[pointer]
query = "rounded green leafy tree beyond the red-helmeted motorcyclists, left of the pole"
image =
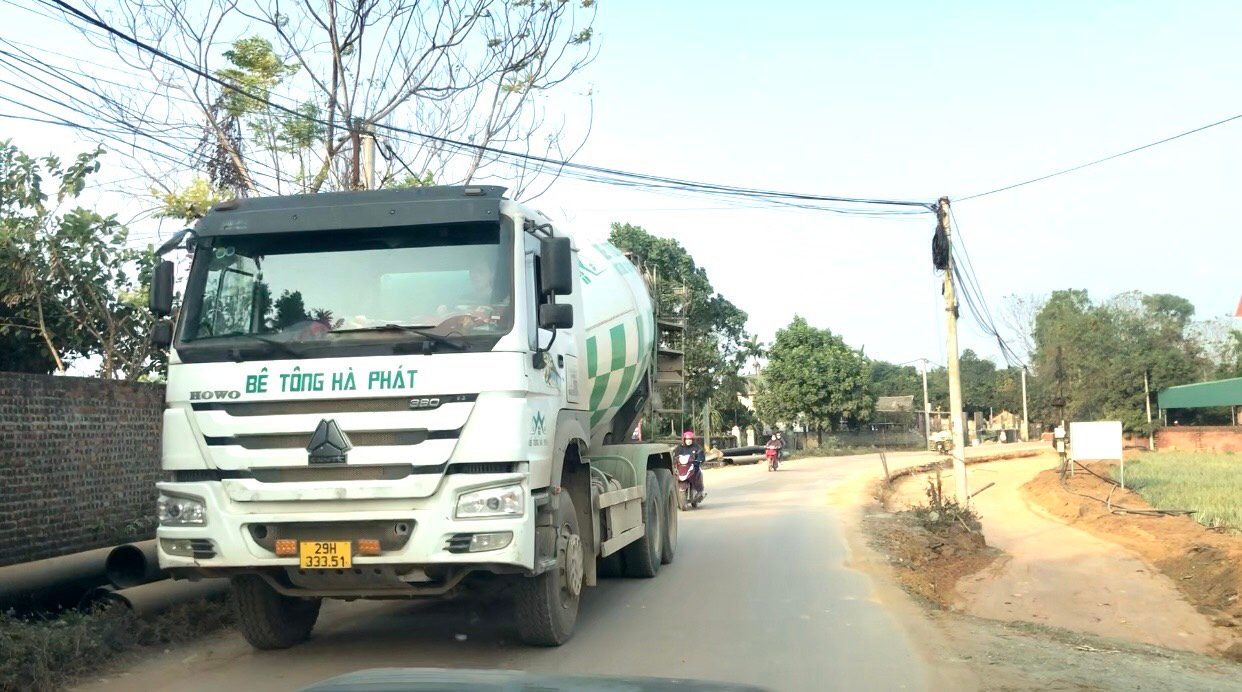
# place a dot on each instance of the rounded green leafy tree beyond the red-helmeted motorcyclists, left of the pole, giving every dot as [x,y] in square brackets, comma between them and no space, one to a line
[813,377]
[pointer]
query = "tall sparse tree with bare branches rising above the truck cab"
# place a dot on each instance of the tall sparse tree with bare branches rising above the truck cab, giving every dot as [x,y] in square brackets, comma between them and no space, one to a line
[280,96]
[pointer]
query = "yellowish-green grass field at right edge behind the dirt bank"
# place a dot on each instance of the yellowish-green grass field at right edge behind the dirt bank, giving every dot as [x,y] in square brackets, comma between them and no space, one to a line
[1210,484]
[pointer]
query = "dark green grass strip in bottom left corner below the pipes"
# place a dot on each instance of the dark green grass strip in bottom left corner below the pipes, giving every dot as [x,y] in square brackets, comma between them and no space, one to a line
[39,654]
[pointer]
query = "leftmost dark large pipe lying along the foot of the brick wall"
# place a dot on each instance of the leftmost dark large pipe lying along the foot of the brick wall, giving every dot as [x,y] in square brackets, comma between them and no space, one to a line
[53,583]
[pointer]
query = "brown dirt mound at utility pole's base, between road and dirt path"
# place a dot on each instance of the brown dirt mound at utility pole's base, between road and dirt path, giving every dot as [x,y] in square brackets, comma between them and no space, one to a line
[928,557]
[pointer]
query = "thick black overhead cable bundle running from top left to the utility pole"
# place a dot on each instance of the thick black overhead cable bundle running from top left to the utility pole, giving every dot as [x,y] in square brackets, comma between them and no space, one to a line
[584,172]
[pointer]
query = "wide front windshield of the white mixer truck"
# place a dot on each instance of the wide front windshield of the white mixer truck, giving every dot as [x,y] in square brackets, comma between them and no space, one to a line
[347,286]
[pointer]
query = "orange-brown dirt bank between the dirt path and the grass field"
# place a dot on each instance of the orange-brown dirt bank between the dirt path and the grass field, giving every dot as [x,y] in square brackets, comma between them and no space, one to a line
[1203,563]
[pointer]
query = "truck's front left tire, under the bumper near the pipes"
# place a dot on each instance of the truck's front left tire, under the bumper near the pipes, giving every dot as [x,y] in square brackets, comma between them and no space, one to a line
[269,619]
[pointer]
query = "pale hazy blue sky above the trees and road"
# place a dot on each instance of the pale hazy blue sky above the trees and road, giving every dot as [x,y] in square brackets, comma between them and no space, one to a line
[902,100]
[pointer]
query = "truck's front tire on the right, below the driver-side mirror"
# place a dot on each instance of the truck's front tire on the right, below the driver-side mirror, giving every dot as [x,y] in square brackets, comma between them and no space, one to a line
[547,606]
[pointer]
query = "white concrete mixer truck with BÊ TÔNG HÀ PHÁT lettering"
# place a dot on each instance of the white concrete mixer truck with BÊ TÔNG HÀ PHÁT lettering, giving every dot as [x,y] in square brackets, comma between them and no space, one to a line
[407,394]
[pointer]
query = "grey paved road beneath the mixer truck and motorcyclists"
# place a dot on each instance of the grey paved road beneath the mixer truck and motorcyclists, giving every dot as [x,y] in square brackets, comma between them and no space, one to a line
[759,594]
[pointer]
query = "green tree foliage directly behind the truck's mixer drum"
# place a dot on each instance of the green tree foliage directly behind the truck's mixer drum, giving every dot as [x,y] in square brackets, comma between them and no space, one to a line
[716,331]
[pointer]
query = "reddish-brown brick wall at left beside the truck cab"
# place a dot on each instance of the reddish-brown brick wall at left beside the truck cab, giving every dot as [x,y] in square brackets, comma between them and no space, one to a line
[79,464]
